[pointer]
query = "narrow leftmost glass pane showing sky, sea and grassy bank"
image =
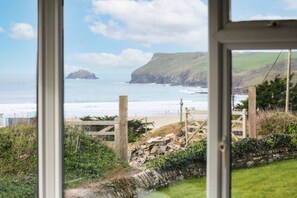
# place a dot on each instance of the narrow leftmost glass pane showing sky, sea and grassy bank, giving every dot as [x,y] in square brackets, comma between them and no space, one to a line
[18,49]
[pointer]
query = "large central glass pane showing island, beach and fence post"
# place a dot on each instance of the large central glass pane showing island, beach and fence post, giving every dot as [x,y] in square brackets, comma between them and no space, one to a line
[154,53]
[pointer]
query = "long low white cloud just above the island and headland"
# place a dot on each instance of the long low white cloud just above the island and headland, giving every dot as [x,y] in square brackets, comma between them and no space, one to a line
[127,58]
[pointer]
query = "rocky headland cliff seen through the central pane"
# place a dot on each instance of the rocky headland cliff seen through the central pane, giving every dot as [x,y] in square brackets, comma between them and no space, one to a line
[188,69]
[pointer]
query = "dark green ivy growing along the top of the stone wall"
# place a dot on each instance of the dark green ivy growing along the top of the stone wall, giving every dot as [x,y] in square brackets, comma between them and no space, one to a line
[241,149]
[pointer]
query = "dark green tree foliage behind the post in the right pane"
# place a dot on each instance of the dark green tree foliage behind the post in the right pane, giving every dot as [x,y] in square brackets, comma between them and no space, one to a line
[271,95]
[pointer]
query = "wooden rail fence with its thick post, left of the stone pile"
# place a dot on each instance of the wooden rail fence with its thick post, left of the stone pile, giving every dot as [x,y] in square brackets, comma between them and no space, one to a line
[117,128]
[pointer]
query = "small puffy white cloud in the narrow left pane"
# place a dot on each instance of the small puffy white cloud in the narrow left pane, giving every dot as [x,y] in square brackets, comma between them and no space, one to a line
[22,31]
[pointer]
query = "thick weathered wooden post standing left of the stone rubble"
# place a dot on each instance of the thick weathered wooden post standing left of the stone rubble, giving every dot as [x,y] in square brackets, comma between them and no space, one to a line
[121,140]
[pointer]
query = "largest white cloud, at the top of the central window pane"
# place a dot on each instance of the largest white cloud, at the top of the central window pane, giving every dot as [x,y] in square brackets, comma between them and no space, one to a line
[181,22]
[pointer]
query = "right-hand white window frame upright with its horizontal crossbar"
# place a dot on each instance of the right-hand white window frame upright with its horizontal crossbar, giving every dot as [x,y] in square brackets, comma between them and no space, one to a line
[225,36]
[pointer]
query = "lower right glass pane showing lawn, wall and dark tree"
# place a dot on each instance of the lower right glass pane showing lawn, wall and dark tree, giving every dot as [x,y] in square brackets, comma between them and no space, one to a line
[263,131]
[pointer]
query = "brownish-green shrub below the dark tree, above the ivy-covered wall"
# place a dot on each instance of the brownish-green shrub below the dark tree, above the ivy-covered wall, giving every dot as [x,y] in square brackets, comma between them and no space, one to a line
[276,122]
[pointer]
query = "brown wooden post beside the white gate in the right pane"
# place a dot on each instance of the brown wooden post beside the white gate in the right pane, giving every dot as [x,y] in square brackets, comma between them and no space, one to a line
[252,112]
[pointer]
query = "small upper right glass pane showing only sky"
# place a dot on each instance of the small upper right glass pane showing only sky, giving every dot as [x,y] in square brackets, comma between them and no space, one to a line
[254,10]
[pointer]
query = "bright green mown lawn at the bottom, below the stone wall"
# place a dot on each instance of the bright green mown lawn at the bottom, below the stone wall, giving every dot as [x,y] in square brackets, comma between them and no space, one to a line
[274,180]
